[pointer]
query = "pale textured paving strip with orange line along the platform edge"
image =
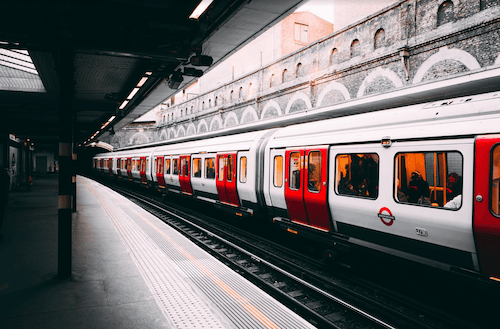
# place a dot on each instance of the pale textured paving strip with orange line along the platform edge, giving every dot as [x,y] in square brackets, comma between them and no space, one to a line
[239,301]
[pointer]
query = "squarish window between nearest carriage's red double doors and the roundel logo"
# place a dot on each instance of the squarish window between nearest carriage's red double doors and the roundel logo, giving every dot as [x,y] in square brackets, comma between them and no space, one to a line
[357,175]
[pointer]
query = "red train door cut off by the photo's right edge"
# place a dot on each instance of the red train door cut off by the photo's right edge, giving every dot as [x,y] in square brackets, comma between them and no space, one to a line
[486,203]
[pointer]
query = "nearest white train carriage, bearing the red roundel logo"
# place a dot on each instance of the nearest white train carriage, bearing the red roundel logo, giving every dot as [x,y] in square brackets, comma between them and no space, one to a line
[378,165]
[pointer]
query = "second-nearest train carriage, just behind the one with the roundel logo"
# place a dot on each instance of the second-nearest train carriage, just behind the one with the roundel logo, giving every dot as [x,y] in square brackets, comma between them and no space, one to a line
[220,170]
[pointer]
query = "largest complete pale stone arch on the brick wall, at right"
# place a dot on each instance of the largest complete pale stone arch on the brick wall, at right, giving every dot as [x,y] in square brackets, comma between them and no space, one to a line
[446,54]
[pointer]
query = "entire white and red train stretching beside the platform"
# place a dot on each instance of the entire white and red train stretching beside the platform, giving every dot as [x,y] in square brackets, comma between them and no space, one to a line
[417,182]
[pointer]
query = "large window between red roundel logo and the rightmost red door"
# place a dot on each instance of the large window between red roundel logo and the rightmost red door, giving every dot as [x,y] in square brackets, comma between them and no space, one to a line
[429,178]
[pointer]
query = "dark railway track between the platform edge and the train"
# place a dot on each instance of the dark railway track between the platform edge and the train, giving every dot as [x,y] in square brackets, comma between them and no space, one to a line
[301,283]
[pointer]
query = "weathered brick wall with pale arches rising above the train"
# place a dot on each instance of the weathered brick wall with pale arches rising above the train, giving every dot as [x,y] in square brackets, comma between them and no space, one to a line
[469,42]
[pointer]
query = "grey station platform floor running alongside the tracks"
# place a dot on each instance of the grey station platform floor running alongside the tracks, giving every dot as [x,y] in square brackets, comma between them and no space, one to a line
[129,270]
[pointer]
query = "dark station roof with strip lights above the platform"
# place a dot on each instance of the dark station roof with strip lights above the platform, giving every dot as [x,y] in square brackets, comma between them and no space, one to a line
[116,43]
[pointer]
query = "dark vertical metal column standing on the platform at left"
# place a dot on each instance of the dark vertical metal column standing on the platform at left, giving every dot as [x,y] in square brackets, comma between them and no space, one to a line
[66,80]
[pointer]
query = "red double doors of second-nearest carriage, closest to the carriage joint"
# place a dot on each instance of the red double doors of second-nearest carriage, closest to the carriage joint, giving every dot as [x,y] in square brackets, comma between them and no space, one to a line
[226,178]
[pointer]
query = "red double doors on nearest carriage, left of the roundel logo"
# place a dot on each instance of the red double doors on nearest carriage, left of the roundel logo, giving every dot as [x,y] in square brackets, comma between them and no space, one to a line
[306,186]
